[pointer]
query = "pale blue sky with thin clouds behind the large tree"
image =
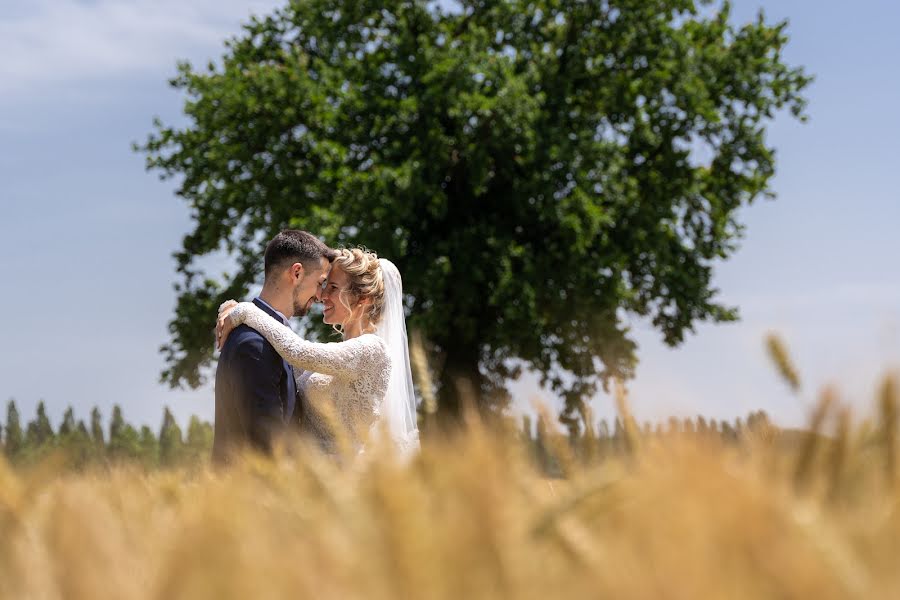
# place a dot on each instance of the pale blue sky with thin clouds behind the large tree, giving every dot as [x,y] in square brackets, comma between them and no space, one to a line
[86,235]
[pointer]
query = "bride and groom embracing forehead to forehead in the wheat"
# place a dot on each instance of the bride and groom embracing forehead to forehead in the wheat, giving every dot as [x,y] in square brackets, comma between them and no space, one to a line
[270,381]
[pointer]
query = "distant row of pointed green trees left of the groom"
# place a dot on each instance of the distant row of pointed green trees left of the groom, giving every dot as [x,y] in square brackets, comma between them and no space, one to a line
[80,444]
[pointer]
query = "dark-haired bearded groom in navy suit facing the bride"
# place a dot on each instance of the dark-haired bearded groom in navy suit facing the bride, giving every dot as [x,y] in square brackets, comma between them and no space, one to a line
[255,390]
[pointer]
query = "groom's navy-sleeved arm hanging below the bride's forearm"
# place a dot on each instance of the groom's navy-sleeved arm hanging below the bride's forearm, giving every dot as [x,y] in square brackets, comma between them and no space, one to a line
[260,384]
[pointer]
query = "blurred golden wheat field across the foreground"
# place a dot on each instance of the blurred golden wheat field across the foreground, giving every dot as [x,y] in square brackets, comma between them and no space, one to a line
[677,516]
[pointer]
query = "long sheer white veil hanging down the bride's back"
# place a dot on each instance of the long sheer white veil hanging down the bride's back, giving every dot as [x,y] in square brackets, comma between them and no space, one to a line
[399,408]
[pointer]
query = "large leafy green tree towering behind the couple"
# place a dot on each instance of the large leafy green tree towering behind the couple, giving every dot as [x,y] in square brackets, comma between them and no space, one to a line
[538,170]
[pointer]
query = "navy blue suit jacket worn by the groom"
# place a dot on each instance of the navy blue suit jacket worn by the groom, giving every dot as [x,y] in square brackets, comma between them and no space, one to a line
[255,392]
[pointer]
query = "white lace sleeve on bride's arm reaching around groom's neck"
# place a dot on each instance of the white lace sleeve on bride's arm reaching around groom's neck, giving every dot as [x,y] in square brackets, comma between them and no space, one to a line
[335,358]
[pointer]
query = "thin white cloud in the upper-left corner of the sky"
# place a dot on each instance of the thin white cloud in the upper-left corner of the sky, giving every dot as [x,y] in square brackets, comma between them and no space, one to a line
[64,41]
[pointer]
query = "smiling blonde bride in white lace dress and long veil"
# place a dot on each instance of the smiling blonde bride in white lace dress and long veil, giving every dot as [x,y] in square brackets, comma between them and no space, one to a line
[364,382]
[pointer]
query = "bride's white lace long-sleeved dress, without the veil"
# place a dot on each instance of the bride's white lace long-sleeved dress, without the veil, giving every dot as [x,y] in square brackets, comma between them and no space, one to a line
[345,379]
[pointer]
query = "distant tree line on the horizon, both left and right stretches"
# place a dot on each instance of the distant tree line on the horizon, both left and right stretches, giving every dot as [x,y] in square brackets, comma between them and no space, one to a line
[81,445]
